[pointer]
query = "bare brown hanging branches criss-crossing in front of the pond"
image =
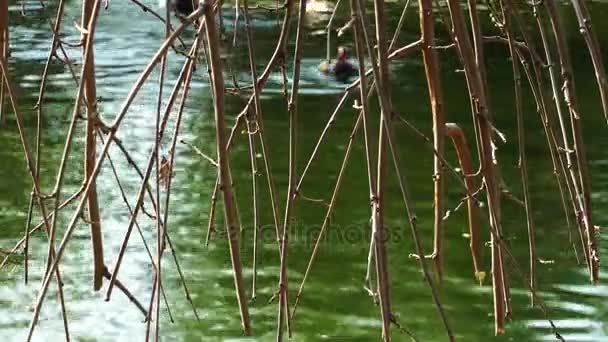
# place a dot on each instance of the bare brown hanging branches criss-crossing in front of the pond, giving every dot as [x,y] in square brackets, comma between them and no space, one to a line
[532,62]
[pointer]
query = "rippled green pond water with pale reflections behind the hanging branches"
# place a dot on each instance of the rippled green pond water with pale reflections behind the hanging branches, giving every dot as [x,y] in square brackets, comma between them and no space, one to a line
[334,305]
